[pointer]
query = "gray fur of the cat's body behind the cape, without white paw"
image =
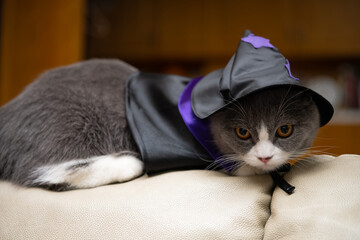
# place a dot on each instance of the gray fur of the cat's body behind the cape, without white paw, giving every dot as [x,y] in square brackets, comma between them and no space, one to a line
[72,112]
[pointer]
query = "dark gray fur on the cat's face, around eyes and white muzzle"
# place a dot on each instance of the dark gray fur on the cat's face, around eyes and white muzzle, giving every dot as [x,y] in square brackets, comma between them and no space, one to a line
[272,107]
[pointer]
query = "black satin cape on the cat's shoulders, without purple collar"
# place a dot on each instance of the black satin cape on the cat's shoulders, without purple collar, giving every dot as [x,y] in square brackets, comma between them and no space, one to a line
[152,112]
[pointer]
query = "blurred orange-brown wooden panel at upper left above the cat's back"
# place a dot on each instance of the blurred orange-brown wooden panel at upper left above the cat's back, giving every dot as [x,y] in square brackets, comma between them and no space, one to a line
[38,35]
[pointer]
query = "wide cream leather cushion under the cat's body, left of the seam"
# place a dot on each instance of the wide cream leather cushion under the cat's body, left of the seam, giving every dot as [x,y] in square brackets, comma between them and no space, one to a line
[176,205]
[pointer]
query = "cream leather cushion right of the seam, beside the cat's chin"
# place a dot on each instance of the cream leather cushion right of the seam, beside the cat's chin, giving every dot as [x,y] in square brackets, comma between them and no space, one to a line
[326,204]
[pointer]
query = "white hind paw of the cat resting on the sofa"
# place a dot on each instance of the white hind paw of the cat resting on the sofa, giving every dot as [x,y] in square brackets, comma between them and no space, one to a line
[92,172]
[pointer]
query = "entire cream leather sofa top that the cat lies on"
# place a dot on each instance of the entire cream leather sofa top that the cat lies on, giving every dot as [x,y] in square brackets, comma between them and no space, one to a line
[195,204]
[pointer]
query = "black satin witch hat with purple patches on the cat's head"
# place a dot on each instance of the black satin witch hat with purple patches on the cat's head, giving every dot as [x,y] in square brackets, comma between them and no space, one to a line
[256,65]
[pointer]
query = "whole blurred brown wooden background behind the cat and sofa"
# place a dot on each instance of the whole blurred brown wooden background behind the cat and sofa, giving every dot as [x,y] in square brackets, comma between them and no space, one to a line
[191,37]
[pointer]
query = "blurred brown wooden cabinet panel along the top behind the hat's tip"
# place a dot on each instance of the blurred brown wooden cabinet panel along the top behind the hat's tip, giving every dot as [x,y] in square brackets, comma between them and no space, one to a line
[188,30]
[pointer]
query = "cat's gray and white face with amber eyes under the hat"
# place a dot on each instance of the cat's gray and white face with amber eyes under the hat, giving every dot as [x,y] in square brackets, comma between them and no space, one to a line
[268,128]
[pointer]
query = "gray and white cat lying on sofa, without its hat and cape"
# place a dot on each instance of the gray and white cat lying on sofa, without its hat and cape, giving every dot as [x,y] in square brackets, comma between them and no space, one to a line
[68,129]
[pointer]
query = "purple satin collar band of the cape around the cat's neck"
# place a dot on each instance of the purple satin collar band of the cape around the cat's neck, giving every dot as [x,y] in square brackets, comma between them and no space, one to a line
[199,127]
